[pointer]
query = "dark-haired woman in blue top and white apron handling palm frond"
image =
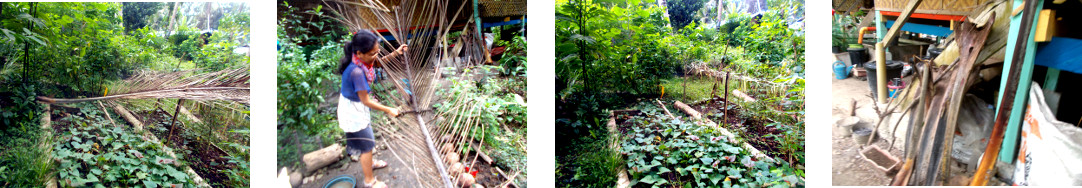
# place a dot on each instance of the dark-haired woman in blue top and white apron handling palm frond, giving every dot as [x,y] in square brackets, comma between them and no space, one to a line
[357,68]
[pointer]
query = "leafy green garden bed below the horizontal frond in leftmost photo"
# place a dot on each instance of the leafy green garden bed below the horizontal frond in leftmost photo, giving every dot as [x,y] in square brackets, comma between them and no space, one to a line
[94,151]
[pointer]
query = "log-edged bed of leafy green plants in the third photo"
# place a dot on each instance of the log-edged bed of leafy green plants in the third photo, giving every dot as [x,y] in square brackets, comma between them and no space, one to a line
[663,152]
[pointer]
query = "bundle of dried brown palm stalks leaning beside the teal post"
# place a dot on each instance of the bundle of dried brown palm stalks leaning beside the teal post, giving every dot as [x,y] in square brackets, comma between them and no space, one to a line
[940,101]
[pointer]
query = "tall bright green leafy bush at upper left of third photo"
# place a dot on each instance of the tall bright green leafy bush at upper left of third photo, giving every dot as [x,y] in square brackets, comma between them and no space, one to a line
[618,48]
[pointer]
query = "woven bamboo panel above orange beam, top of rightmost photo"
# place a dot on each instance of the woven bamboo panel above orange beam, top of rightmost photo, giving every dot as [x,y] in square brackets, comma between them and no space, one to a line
[934,7]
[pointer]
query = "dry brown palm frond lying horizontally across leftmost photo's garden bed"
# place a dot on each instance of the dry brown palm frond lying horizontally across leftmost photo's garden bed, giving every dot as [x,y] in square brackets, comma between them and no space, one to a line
[229,85]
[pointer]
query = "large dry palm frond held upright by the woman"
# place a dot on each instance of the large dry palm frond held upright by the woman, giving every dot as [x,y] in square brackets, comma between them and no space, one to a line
[425,25]
